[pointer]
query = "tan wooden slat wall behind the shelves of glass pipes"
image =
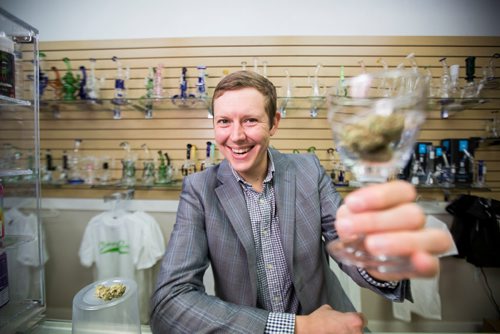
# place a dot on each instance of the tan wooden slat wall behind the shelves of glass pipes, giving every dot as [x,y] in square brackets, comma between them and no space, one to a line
[172,128]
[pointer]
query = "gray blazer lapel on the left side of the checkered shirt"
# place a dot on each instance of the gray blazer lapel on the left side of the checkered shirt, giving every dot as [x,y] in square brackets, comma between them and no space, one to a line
[233,201]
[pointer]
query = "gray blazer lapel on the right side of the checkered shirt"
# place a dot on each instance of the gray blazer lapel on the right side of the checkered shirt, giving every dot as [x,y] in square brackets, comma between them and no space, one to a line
[285,187]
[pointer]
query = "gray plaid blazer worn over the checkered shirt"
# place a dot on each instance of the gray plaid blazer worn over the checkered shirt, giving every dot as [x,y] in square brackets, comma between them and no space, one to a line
[213,227]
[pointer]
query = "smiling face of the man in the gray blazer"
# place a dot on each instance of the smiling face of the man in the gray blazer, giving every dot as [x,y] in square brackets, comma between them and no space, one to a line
[242,131]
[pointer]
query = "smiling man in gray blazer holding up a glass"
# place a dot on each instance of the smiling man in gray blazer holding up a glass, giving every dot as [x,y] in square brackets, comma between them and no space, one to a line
[263,220]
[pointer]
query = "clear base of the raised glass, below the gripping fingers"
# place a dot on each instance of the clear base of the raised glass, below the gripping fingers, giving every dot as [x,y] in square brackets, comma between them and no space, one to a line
[354,253]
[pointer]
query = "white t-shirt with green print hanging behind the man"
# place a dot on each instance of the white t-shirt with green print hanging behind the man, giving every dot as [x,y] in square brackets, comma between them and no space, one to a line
[124,245]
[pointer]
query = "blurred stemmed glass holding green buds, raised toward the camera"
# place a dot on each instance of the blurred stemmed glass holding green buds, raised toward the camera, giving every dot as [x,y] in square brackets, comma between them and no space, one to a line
[375,119]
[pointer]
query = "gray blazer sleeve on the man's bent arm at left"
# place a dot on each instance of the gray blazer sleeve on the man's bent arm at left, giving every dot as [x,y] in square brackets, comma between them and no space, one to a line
[179,302]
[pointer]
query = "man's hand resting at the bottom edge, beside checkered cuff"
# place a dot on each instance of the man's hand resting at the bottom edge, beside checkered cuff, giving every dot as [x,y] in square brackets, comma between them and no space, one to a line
[326,320]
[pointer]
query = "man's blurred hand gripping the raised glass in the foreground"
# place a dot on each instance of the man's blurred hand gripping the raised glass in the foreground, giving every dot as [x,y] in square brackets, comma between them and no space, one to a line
[392,225]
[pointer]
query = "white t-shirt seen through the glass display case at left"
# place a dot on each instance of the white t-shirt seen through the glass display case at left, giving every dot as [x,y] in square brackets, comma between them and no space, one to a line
[23,265]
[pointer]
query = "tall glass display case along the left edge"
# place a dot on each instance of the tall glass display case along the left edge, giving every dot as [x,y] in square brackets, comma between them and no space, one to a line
[22,292]
